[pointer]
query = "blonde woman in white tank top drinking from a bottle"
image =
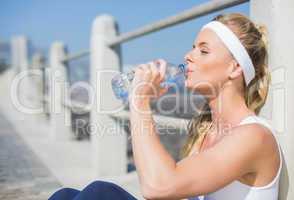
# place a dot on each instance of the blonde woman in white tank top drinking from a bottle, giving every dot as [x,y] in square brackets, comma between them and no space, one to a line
[231,153]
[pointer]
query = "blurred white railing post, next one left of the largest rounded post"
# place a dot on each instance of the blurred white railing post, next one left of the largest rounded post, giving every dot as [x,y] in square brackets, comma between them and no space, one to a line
[60,116]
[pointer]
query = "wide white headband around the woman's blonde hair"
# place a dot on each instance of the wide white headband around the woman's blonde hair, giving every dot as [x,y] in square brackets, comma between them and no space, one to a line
[235,47]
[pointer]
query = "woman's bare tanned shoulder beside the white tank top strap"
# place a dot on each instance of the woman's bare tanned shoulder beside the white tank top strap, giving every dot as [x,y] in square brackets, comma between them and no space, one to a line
[264,150]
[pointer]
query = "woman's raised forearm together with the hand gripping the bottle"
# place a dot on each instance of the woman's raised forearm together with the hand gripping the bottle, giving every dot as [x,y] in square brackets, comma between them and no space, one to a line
[153,162]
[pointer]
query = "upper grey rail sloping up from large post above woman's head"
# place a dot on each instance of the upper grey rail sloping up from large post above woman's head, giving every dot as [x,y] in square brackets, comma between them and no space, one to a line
[190,14]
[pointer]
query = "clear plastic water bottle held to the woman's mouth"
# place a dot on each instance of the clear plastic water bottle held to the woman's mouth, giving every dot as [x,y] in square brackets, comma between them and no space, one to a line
[174,77]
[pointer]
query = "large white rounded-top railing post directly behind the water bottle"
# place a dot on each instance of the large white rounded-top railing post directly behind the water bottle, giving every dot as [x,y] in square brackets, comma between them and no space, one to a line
[107,137]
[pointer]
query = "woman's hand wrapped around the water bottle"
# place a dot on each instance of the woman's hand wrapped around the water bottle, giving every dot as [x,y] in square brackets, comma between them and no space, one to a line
[146,83]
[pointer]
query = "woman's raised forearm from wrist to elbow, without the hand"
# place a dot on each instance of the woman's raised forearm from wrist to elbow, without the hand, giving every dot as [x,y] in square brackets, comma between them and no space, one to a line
[153,163]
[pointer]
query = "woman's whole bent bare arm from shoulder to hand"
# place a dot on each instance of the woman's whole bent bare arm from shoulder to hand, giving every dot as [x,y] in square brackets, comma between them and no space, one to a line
[161,177]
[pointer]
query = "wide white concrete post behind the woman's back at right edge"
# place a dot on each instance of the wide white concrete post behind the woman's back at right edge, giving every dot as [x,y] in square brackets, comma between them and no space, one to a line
[279,108]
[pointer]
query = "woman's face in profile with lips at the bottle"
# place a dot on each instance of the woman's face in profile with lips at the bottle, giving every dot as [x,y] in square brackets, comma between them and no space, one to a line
[208,62]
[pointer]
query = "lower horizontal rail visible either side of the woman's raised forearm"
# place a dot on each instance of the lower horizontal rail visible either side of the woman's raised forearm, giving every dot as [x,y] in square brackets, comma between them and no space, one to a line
[161,120]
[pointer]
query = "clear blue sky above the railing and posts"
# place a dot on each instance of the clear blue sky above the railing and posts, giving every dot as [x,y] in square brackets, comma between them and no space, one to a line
[44,22]
